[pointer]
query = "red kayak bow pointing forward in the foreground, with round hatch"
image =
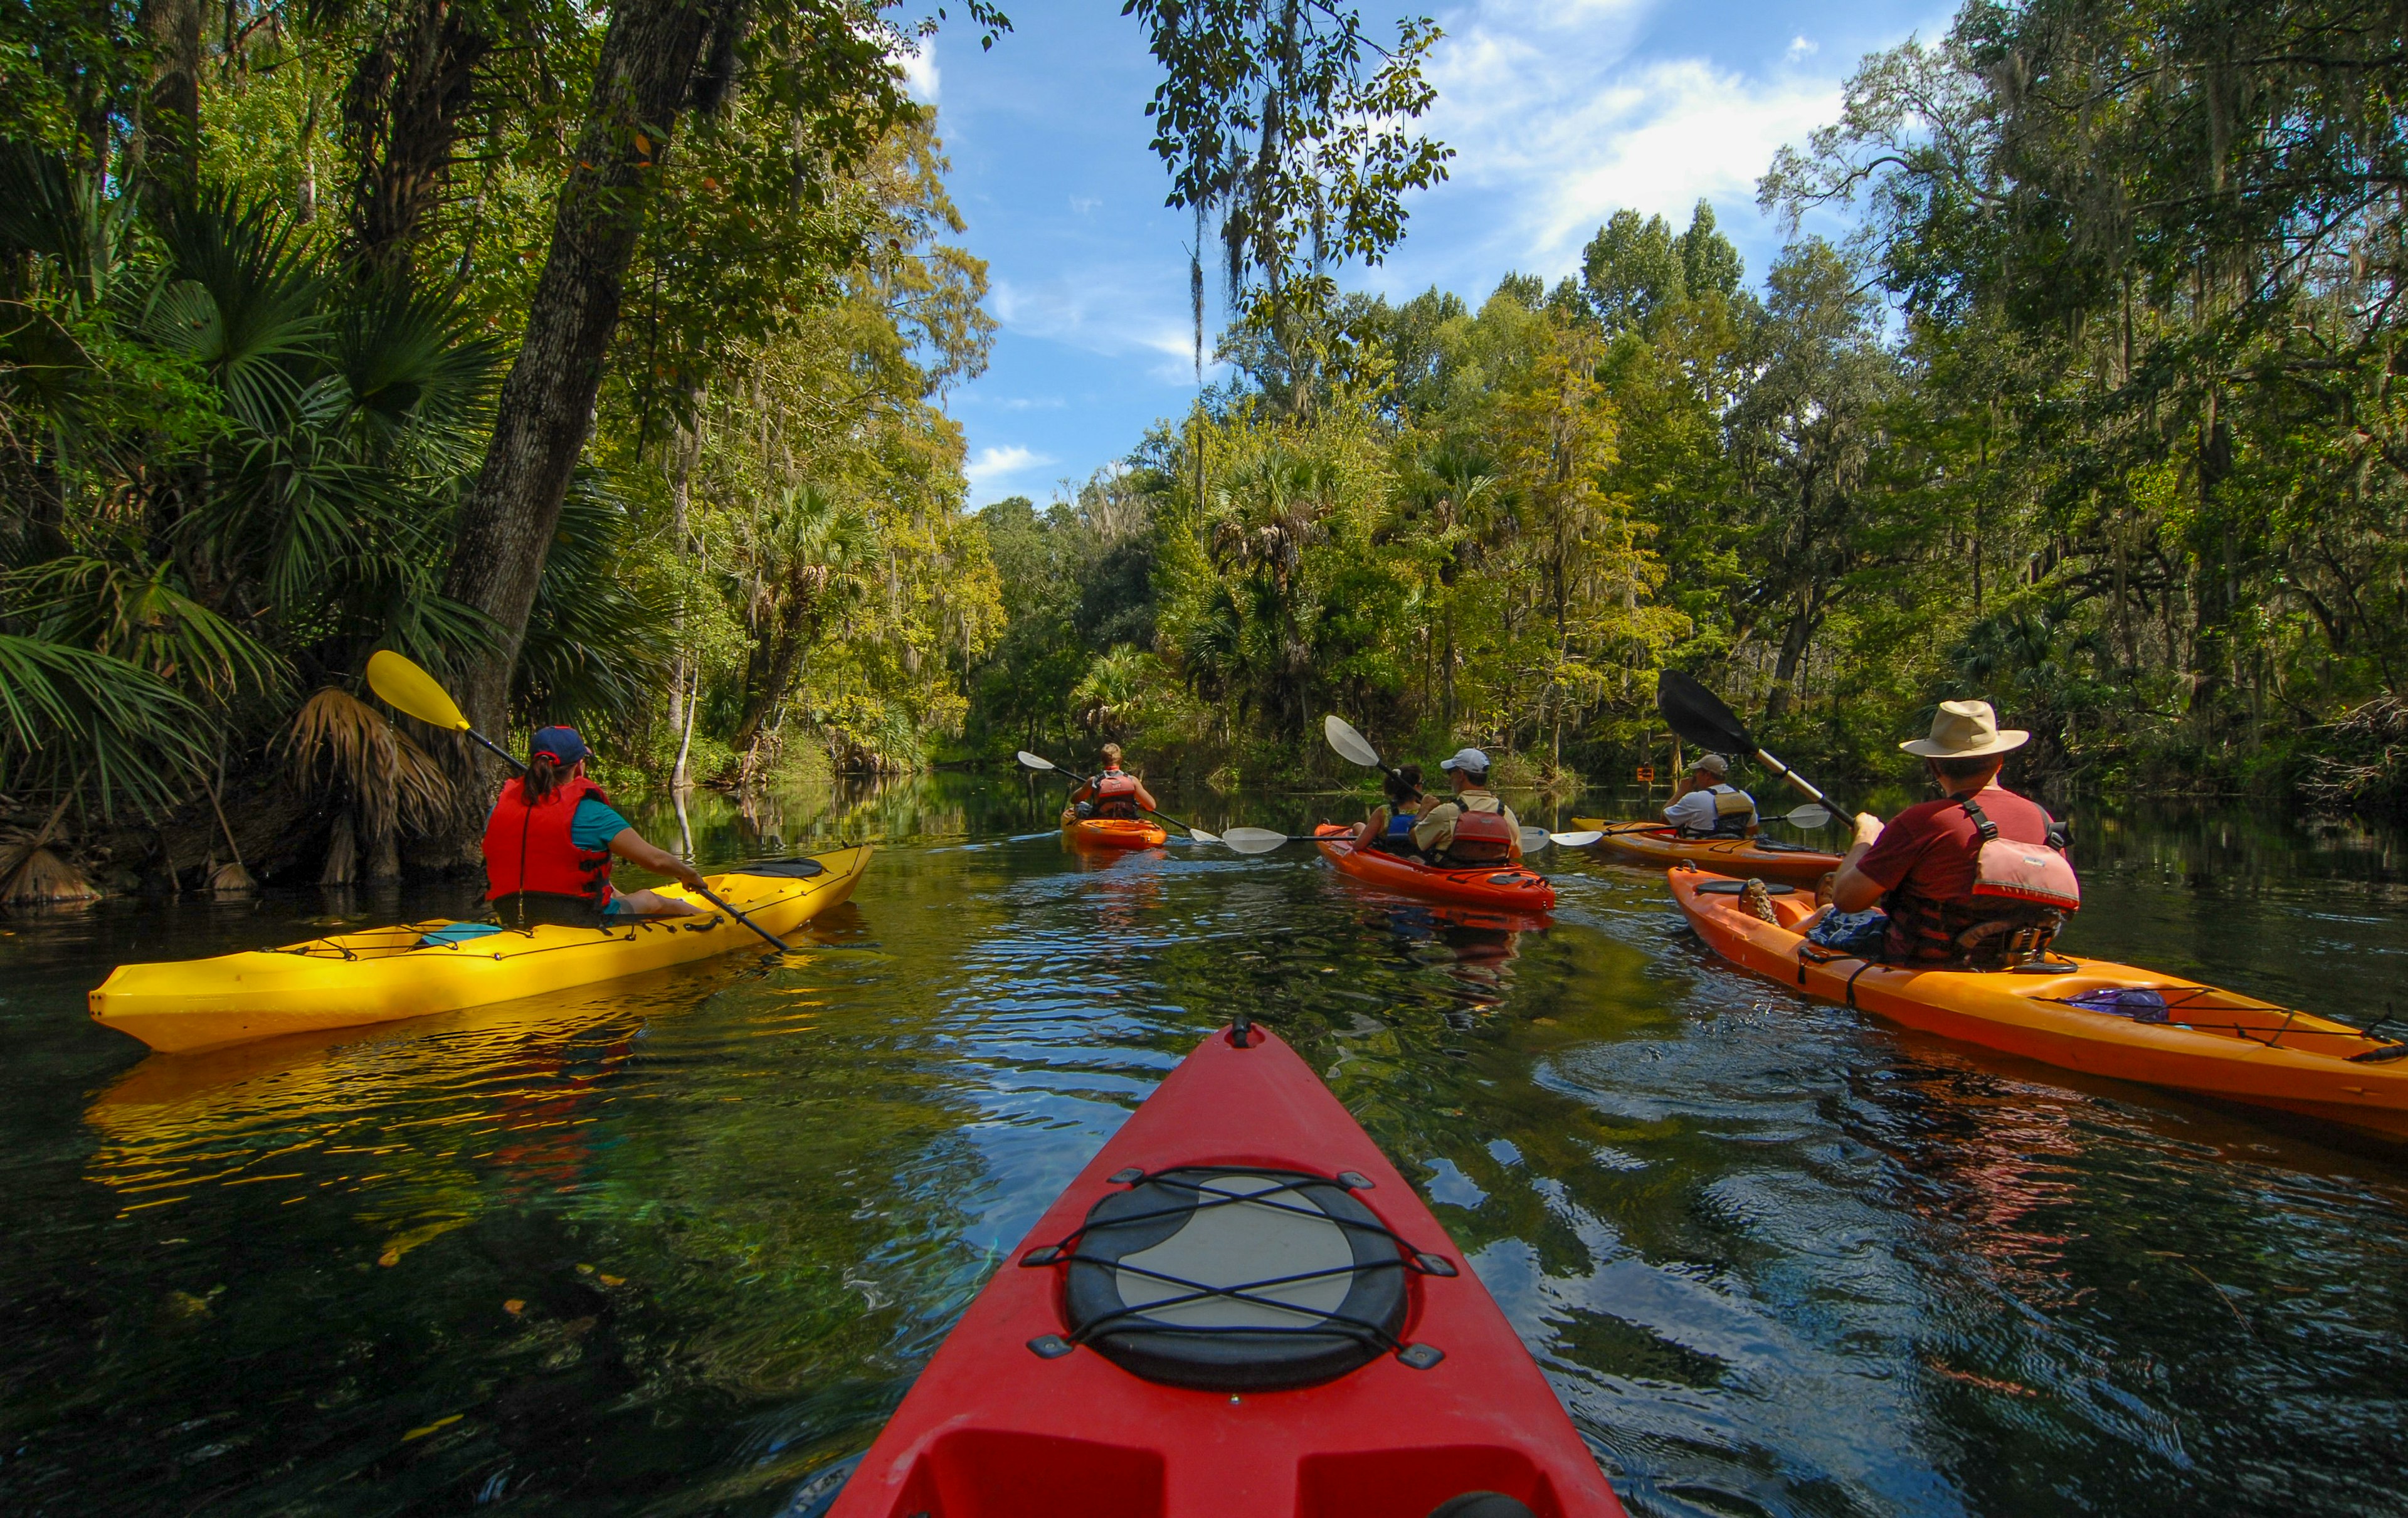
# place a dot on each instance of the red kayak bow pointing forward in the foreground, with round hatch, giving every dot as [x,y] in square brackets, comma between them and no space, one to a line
[1237,1312]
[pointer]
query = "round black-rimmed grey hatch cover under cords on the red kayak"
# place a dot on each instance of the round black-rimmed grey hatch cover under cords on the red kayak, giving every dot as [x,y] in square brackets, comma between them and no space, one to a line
[1237,1278]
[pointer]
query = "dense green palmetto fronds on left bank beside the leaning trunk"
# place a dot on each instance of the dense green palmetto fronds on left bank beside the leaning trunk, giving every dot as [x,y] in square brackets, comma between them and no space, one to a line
[225,464]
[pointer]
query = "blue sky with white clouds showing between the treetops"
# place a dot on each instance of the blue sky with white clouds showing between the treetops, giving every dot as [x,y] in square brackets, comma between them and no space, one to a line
[1559,112]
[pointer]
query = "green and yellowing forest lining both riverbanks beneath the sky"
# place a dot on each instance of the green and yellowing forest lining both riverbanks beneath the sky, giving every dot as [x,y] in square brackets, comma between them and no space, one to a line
[596,360]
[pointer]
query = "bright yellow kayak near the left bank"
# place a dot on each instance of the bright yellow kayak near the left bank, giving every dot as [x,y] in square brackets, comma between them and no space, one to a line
[384,975]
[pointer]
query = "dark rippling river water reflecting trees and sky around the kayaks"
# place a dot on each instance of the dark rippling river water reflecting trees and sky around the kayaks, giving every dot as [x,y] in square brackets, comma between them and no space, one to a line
[675,1245]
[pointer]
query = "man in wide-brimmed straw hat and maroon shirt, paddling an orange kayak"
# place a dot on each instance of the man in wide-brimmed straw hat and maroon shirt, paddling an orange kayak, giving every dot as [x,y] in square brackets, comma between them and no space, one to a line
[1928,864]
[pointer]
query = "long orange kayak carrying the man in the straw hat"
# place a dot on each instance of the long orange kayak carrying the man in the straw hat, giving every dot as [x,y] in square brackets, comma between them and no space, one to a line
[2096,1016]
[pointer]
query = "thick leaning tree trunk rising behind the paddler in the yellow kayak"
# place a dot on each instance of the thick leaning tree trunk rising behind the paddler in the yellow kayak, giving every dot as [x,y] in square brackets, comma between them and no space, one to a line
[545,408]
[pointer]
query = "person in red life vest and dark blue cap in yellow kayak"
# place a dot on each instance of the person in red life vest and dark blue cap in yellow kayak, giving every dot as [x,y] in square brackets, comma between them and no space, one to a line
[550,845]
